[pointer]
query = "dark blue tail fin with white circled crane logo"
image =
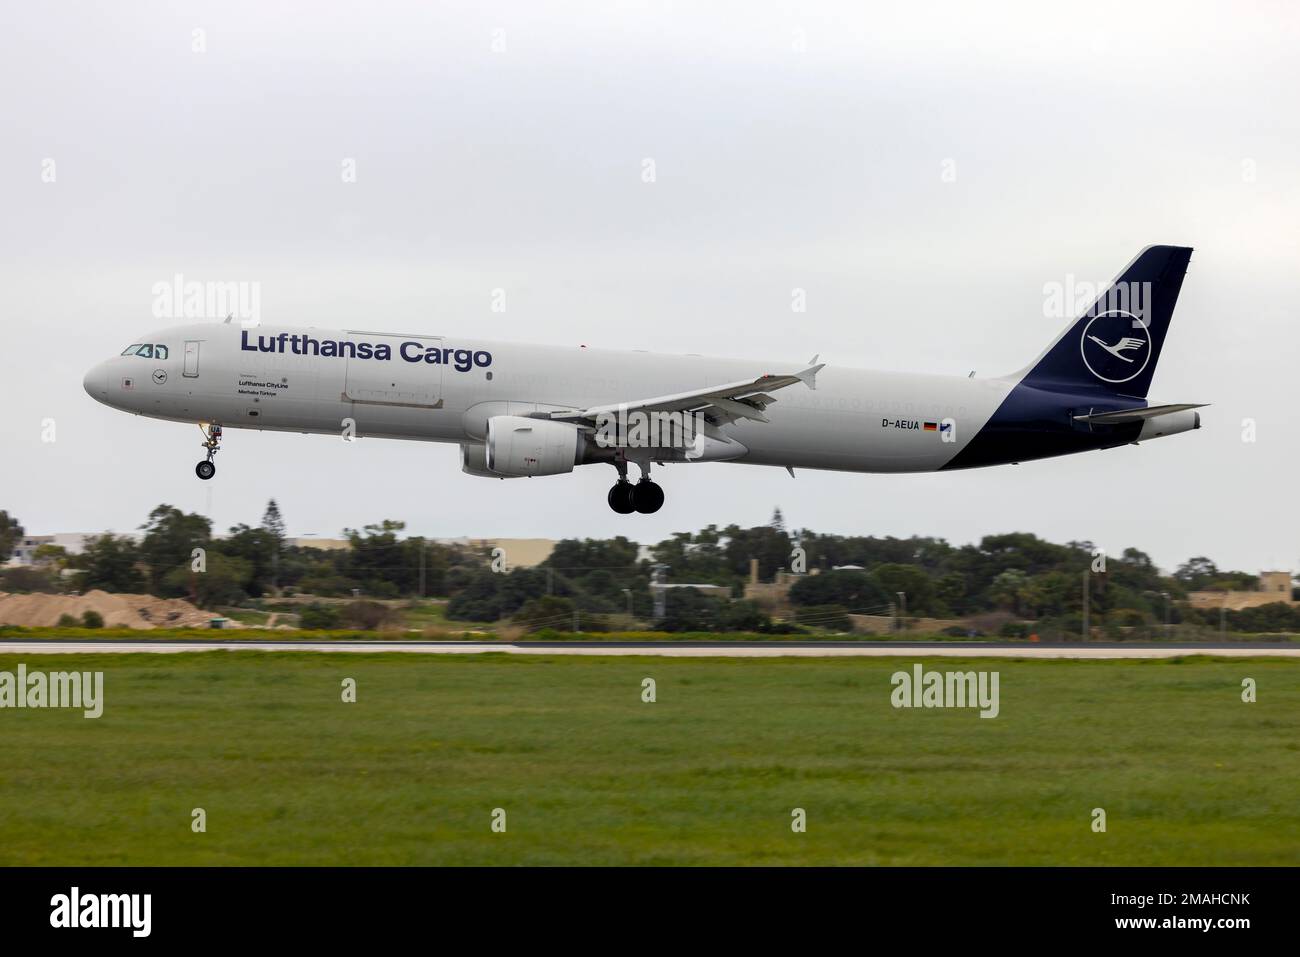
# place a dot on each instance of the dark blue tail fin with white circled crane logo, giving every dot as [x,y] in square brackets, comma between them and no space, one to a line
[1115,347]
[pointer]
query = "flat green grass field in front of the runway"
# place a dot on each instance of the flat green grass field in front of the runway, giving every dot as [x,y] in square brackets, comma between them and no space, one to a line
[708,776]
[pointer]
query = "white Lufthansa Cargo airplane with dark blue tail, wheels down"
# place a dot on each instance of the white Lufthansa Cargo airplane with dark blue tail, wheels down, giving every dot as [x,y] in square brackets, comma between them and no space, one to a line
[523,412]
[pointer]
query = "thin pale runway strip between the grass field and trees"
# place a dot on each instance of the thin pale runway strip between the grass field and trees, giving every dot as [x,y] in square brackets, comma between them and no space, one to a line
[674,649]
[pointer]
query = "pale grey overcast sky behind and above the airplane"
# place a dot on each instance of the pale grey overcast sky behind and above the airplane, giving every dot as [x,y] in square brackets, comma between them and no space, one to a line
[922,171]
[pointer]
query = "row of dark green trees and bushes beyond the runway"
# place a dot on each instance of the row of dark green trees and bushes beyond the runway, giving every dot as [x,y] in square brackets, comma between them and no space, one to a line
[1019,575]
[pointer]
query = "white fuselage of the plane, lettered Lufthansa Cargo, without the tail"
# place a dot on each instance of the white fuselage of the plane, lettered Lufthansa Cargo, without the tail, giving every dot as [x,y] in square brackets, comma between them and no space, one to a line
[853,421]
